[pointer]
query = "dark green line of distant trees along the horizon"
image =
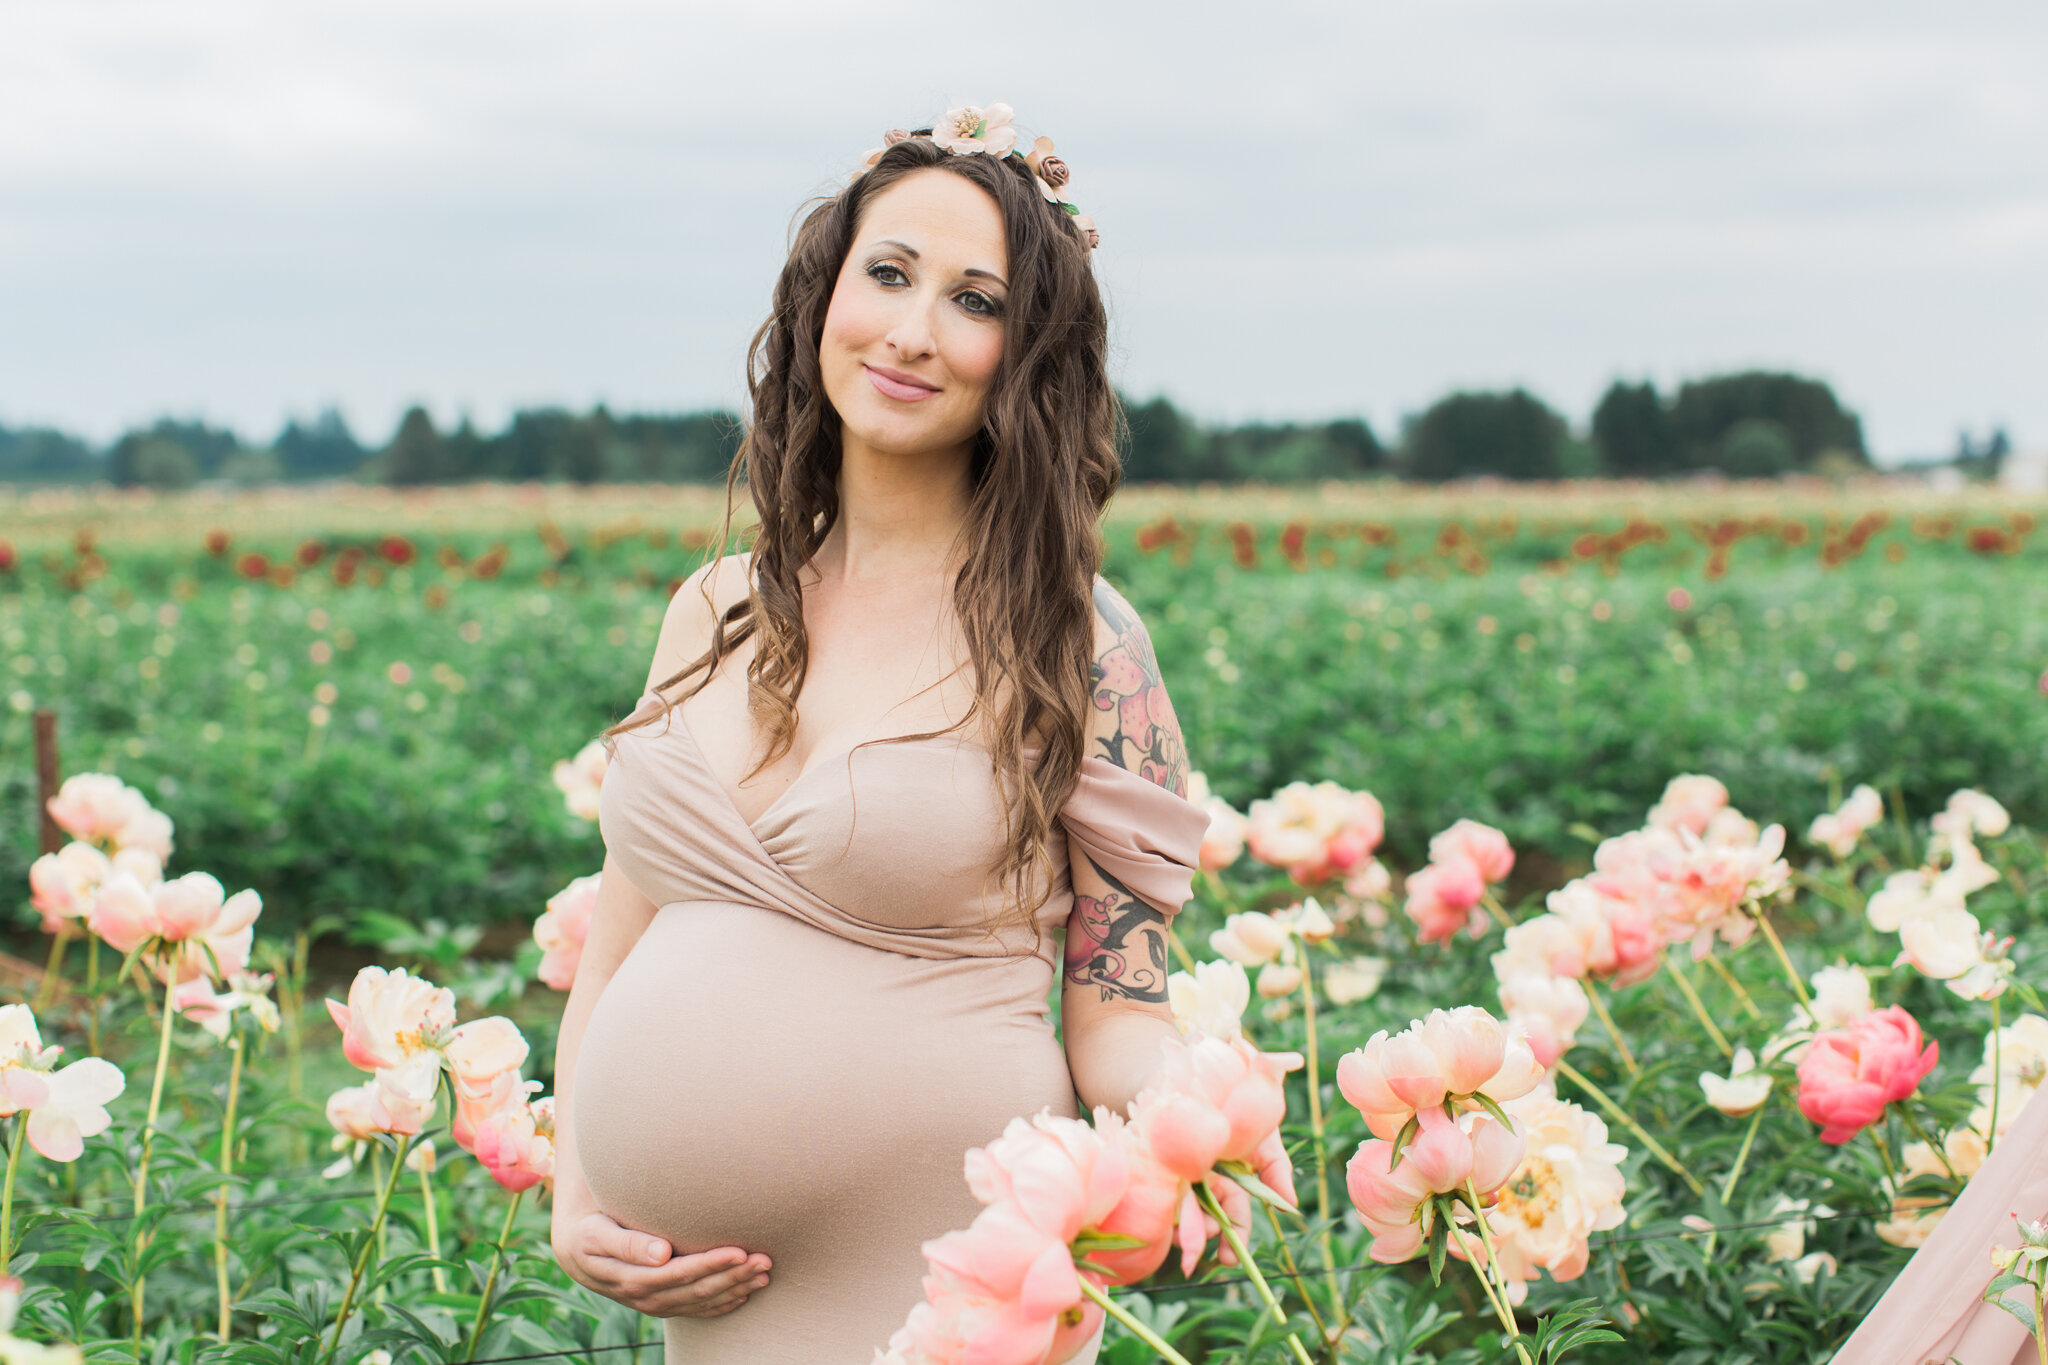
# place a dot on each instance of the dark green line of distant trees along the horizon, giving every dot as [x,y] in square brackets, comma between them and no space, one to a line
[1748,425]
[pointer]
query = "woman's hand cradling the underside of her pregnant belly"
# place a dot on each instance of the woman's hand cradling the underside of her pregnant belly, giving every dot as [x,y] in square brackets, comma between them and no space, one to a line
[644,1274]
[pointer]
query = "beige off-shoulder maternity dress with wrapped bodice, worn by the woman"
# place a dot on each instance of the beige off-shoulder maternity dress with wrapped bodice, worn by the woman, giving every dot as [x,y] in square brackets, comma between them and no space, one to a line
[820,1020]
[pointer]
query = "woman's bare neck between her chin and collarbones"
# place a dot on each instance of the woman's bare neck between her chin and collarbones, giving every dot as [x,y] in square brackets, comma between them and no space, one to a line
[900,517]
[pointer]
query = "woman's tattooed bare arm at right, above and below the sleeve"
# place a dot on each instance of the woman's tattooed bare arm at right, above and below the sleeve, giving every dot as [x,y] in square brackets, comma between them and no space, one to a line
[1113,1004]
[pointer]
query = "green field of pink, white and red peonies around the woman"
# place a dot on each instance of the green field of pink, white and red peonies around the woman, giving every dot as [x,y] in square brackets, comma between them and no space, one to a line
[1619,932]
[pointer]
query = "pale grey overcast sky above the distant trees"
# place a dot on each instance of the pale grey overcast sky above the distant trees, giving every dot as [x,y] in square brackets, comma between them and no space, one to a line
[251,210]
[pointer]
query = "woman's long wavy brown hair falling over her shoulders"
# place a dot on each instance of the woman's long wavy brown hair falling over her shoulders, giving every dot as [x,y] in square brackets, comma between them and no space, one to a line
[1043,470]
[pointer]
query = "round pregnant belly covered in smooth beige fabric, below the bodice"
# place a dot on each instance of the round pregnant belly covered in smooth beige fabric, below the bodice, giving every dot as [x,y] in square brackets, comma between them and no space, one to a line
[753,1082]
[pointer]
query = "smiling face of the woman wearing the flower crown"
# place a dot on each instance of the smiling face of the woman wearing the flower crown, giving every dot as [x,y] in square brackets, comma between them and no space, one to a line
[914,331]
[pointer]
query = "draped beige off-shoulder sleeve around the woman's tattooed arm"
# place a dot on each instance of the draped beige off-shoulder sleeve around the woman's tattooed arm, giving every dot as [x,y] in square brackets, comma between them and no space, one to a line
[1138,832]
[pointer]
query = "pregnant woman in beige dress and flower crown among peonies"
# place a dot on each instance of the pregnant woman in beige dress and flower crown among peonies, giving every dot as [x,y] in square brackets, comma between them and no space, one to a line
[880,764]
